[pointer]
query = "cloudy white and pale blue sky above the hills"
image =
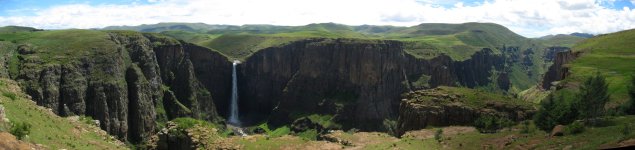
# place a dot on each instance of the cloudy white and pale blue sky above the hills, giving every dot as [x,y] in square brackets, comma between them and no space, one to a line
[530,18]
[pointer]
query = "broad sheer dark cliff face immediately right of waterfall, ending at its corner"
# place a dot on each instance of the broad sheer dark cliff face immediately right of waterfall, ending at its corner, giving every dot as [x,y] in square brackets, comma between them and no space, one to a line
[356,80]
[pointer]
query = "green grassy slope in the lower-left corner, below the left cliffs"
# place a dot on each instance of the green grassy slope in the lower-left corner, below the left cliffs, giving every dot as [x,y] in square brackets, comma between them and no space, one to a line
[48,129]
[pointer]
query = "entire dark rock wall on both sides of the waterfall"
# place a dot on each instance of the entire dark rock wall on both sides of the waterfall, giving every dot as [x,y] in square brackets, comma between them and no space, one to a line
[149,78]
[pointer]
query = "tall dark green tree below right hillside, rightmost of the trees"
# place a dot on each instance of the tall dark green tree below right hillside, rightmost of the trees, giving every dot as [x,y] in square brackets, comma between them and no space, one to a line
[592,98]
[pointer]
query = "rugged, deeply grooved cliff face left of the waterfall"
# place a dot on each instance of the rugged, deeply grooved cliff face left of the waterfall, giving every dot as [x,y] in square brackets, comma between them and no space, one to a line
[121,88]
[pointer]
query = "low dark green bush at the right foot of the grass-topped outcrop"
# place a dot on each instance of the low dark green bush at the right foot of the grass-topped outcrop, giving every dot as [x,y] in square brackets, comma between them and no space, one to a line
[490,124]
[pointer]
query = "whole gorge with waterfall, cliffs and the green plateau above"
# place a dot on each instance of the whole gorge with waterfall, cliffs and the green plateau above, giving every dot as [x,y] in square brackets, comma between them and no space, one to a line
[137,84]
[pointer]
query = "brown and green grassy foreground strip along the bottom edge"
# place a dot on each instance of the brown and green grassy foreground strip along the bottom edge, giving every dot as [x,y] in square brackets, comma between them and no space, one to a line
[610,135]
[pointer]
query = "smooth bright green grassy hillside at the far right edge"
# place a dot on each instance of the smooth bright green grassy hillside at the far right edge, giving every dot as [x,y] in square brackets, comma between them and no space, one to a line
[612,55]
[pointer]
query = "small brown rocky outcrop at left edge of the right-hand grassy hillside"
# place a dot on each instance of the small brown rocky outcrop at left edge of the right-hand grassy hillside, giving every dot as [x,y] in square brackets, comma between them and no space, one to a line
[558,70]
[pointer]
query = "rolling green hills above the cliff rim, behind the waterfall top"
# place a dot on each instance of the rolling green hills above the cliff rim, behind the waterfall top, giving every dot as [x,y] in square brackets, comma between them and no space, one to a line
[423,41]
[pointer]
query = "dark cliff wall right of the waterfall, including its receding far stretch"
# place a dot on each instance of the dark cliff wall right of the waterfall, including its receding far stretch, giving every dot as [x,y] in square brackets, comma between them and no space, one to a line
[358,81]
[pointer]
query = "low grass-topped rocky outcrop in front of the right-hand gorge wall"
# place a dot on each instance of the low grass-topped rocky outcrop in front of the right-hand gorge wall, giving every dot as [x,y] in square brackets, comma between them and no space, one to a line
[455,106]
